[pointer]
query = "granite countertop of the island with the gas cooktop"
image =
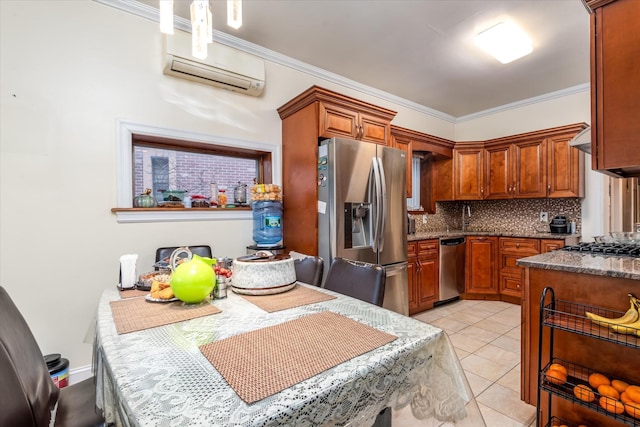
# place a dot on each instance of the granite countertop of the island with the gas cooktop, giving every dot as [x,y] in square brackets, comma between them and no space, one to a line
[575,262]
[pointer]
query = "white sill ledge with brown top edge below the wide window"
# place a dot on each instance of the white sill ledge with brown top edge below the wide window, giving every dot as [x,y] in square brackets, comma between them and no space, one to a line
[132,215]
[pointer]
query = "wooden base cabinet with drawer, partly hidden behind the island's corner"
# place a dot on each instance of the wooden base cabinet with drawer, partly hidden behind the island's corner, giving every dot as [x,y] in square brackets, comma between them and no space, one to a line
[511,276]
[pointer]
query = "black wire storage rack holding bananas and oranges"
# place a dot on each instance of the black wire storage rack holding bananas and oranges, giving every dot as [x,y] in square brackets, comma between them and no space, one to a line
[571,317]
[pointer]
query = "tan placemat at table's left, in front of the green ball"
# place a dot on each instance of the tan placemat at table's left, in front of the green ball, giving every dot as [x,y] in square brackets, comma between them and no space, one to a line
[136,314]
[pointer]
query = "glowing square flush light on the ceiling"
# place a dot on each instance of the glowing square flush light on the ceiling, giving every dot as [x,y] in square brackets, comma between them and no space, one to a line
[505,41]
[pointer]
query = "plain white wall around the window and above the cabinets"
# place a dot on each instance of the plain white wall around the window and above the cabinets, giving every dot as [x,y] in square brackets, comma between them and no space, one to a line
[70,70]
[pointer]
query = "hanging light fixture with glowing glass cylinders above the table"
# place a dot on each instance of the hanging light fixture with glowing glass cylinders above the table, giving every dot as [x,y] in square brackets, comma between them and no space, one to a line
[201,22]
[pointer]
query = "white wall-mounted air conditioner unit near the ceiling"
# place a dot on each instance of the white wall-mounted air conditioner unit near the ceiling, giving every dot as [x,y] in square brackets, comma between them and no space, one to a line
[224,66]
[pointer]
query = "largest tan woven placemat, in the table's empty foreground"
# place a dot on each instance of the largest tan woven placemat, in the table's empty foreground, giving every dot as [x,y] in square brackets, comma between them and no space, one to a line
[260,363]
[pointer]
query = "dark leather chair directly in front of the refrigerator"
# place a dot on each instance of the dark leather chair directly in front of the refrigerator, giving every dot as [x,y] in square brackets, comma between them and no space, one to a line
[357,279]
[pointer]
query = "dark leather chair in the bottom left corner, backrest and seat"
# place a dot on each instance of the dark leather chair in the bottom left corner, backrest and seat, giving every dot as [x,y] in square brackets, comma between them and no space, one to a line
[27,393]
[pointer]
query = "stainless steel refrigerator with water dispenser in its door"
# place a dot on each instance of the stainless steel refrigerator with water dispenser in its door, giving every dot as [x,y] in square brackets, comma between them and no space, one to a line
[362,210]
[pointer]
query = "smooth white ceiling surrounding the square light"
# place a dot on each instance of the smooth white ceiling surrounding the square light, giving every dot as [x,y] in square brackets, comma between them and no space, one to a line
[422,50]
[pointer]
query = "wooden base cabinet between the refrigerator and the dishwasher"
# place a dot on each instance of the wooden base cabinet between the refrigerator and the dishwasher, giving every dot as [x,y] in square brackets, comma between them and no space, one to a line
[424,271]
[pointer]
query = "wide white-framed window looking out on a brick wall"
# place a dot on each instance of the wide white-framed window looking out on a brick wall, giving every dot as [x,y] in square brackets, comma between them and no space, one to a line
[169,159]
